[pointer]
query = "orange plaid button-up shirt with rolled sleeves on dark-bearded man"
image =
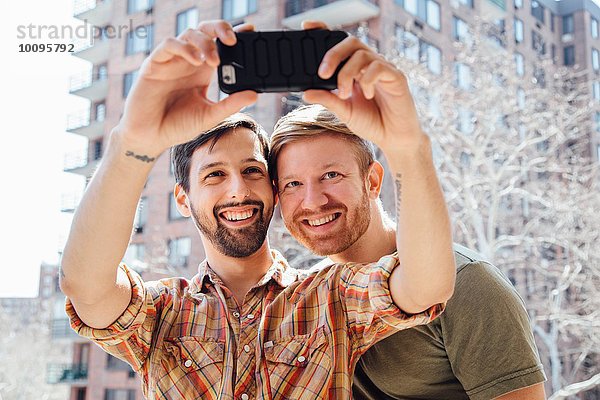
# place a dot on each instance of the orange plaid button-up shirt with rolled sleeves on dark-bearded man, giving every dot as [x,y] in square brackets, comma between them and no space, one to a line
[296,336]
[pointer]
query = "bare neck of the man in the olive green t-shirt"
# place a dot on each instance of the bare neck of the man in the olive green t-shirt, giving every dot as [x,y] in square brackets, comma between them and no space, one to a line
[379,240]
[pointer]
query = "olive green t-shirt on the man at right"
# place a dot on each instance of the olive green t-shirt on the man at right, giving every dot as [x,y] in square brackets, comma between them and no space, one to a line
[481,347]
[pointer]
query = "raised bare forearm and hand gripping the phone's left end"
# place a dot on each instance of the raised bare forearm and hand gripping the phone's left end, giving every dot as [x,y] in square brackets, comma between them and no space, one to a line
[167,106]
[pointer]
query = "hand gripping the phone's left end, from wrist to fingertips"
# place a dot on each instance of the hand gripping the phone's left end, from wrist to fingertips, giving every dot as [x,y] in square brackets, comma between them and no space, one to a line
[168,103]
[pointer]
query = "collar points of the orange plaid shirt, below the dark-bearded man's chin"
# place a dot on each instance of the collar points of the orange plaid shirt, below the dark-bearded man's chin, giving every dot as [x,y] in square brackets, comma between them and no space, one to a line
[280,272]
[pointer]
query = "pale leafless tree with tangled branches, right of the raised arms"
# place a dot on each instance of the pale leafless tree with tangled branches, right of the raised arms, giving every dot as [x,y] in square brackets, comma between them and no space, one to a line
[514,159]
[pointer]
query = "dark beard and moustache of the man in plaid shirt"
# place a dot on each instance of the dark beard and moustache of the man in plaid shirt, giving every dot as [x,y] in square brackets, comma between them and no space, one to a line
[237,243]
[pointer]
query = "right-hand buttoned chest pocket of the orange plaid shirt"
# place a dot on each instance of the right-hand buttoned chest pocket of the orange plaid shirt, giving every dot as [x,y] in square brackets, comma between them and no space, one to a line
[299,366]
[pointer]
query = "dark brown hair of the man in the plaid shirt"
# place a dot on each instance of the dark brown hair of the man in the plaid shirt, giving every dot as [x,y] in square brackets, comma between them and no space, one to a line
[181,154]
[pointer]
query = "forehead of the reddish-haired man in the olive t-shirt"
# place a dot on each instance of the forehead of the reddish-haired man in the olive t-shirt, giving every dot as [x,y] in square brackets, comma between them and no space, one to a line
[301,156]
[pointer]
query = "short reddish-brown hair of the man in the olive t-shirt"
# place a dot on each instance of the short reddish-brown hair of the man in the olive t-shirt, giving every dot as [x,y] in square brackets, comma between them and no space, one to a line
[312,120]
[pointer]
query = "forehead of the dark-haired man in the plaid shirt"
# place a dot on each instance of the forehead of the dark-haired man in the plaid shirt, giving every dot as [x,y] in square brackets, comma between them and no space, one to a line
[233,147]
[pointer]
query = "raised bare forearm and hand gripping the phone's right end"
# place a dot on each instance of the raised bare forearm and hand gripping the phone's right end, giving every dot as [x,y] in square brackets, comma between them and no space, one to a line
[374,101]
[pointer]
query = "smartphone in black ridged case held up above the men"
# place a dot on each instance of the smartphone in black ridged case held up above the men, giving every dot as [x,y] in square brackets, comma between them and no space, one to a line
[277,61]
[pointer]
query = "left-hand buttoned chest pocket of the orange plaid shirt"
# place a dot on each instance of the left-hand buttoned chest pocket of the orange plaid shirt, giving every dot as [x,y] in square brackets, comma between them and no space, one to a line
[194,365]
